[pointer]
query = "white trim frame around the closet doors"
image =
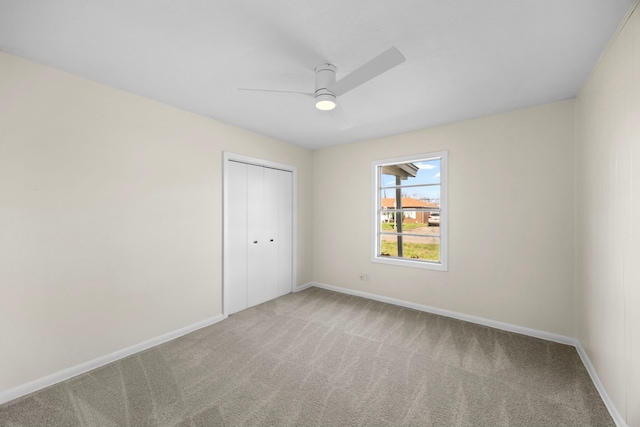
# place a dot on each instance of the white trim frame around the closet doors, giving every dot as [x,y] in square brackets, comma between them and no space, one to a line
[234,157]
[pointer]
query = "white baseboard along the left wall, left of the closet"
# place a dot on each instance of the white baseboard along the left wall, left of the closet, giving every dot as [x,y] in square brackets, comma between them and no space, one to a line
[65,374]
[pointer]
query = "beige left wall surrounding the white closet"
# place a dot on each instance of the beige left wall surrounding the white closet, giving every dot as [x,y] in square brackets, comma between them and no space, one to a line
[110,218]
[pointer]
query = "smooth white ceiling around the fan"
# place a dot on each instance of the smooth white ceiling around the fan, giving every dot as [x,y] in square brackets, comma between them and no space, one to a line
[464,58]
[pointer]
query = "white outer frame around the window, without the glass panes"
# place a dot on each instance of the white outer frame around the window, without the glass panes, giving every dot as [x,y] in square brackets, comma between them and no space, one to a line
[444,209]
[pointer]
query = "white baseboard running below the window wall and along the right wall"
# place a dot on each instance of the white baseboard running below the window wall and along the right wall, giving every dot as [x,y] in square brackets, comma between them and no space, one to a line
[617,418]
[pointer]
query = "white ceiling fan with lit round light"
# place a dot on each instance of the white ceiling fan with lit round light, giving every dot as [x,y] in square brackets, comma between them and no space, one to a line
[327,89]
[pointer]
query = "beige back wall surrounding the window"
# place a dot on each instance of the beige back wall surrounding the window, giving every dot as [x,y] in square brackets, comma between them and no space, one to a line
[511,201]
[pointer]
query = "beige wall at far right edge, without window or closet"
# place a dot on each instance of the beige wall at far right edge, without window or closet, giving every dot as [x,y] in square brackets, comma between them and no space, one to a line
[608,219]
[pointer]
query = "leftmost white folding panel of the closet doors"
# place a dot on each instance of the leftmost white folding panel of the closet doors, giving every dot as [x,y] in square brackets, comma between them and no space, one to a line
[236,273]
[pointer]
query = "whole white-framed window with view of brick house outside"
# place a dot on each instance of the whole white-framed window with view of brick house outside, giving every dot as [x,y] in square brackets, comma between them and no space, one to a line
[410,211]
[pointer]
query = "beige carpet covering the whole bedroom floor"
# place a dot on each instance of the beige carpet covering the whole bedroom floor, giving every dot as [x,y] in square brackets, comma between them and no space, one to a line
[319,358]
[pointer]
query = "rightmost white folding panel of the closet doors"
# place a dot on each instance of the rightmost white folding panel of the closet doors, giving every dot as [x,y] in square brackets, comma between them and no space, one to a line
[285,232]
